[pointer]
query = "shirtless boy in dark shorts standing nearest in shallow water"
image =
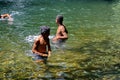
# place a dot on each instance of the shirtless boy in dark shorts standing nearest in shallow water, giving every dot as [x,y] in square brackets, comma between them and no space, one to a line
[41,47]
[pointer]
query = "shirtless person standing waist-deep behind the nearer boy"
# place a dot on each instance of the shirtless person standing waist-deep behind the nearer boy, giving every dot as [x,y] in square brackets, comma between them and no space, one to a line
[62,33]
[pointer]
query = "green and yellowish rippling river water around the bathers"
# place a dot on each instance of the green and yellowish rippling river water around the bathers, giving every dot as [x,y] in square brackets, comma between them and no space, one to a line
[91,52]
